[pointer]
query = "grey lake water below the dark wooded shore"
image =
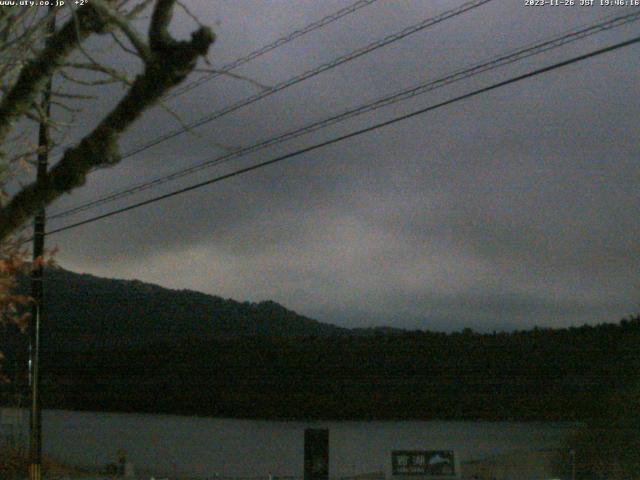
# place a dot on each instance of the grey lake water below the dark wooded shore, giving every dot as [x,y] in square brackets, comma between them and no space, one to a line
[201,447]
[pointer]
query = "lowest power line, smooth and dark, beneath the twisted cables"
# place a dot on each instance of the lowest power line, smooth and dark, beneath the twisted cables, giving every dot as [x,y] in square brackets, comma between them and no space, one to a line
[354,134]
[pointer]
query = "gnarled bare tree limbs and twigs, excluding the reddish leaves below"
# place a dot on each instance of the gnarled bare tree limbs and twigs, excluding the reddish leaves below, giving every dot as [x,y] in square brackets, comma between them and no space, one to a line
[165,63]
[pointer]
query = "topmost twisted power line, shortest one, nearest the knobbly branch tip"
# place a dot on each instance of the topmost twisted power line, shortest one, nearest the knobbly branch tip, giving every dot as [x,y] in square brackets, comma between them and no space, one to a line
[272,46]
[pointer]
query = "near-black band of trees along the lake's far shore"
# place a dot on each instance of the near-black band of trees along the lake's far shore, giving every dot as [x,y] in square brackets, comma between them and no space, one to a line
[541,374]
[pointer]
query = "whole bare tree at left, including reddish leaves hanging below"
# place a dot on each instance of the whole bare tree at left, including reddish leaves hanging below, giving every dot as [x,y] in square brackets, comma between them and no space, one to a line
[29,56]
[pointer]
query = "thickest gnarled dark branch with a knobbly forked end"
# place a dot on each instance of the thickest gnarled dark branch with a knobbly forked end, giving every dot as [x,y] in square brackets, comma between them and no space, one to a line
[169,63]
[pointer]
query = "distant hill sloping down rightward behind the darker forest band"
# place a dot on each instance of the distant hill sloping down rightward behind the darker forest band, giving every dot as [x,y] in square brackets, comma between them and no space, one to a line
[85,311]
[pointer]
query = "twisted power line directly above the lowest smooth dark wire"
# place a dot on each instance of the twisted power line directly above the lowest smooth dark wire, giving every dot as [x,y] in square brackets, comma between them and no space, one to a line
[476,69]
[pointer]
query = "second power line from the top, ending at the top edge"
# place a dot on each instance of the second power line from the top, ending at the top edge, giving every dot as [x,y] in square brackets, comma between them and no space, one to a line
[311,73]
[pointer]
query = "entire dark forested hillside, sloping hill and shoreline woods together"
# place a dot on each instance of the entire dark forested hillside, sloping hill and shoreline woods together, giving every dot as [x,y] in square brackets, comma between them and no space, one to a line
[128,346]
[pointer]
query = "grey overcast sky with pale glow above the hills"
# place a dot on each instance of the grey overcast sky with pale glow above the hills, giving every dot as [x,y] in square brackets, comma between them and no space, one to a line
[515,208]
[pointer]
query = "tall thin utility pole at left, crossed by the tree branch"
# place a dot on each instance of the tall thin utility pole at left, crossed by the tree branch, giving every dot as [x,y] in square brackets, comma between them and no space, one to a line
[35,418]
